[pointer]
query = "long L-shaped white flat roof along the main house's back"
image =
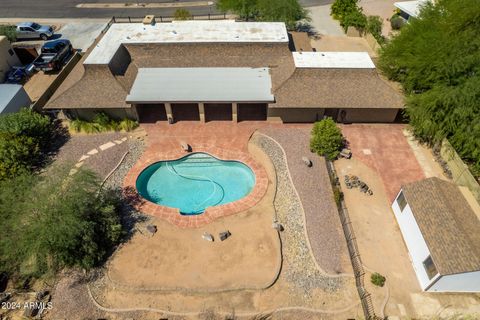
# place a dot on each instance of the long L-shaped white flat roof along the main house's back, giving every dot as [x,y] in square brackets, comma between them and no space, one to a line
[219,31]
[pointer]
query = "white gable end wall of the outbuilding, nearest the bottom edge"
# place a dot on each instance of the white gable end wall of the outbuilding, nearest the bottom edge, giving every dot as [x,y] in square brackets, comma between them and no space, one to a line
[462,282]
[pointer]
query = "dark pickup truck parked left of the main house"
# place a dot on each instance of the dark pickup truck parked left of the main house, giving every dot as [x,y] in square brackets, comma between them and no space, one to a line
[53,55]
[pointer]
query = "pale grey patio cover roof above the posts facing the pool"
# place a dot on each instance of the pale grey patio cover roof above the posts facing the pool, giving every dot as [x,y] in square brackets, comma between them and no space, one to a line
[157,85]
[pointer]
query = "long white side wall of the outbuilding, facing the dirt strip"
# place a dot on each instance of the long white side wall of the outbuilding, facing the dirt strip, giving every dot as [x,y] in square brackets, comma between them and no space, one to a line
[416,245]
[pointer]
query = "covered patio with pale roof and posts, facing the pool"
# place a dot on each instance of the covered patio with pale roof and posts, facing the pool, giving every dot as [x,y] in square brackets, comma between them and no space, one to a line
[205,94]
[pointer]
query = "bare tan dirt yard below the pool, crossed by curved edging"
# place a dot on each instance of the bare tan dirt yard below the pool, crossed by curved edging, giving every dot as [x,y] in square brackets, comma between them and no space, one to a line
[181,258]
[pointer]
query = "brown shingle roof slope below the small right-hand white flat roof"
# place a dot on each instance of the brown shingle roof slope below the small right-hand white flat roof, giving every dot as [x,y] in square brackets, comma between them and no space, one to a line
[336,88]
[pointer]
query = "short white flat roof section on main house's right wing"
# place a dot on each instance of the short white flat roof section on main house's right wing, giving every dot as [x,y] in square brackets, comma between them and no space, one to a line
[336,60]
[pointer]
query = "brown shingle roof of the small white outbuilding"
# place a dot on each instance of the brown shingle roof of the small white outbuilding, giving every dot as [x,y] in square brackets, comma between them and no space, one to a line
[448,224]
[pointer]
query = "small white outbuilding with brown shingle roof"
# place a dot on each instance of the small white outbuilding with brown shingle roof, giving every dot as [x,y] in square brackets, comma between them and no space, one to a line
[440,224]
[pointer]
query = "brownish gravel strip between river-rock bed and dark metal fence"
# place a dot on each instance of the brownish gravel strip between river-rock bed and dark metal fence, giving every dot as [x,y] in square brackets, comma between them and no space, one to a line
[313,187]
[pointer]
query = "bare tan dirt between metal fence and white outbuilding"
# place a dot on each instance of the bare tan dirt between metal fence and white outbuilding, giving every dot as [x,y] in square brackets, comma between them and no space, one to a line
[379,240]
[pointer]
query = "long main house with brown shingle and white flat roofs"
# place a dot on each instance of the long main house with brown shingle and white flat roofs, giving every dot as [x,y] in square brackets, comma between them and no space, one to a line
[221,70]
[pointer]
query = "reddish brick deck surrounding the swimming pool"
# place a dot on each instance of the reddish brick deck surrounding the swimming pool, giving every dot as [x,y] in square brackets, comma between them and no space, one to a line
[221,140]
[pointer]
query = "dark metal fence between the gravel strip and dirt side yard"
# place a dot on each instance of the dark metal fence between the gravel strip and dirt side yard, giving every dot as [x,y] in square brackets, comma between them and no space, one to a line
[358,270]
